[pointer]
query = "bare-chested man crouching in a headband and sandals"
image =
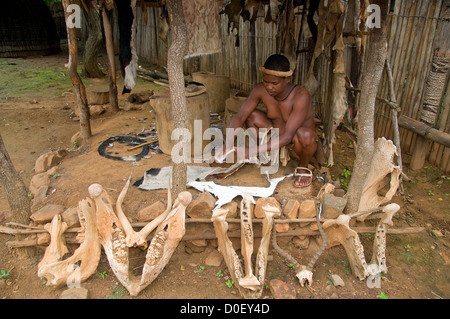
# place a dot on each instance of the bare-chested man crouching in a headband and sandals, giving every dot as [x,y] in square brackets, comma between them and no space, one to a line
[289,109]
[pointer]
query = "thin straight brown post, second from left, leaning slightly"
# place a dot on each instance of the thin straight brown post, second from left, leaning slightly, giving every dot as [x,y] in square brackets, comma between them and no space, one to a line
[113,100]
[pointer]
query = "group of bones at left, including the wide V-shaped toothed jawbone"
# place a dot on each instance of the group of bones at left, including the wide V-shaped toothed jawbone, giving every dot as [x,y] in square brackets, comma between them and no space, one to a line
[102,226]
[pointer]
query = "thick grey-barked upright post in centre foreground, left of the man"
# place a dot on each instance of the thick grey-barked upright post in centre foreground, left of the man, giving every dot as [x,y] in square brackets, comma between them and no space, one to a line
[175,57]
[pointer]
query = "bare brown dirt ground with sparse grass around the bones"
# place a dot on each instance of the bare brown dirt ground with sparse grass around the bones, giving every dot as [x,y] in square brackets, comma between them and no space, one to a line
[37,118]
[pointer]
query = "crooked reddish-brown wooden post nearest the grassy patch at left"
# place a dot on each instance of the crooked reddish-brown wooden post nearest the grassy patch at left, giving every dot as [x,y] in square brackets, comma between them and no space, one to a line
[80,90]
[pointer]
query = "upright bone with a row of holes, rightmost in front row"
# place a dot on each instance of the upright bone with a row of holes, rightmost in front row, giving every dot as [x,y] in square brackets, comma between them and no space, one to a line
[379,244]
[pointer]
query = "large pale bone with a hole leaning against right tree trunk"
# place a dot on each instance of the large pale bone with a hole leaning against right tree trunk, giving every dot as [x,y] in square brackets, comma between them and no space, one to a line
[382,166]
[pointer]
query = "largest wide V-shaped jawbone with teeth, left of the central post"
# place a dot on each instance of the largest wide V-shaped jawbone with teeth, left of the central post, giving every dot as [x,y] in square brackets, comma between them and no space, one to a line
[113,239]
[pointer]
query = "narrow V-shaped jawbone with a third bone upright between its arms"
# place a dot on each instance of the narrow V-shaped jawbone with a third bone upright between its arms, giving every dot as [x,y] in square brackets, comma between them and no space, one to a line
[249,286]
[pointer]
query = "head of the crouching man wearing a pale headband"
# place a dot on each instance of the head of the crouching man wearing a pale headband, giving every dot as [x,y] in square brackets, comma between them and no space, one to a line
[276,74]
